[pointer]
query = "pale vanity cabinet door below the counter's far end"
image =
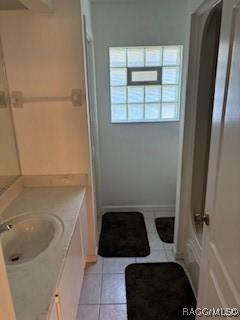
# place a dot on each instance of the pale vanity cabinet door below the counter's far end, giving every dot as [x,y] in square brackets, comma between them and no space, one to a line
[71,281]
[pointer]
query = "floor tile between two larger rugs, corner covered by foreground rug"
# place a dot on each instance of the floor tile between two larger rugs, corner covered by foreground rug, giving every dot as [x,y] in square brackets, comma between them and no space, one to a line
[116,265]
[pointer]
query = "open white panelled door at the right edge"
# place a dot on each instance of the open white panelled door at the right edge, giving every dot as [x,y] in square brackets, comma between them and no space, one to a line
[219,285]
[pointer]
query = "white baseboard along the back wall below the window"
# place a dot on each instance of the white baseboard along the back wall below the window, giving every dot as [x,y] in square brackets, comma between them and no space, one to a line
[162,210]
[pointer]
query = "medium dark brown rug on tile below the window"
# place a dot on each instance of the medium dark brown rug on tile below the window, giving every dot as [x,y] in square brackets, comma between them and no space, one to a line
[123,234]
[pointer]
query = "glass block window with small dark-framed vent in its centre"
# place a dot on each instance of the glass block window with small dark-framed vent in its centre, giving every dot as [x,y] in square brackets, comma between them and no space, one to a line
[145,83]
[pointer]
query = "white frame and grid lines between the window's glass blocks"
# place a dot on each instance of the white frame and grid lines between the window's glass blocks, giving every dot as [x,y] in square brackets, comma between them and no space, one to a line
[178,85]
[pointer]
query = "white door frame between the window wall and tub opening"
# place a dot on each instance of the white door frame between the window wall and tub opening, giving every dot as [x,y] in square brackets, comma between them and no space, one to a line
[187,135]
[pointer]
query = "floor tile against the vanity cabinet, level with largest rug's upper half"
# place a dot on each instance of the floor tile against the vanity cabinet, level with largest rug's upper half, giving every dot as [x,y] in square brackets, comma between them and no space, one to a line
[91,289]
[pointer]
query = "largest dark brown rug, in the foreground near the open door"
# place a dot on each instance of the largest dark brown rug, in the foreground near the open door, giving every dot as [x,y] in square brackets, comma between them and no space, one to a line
[158,291]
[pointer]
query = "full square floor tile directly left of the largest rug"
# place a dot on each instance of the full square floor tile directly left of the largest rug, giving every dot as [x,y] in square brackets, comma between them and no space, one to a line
[113,289]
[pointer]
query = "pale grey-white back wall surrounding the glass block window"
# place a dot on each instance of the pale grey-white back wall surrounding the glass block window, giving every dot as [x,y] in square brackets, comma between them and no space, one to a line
[139,161]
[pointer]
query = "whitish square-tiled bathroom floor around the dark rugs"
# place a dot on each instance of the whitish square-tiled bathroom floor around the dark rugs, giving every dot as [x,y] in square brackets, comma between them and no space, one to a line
[103,294]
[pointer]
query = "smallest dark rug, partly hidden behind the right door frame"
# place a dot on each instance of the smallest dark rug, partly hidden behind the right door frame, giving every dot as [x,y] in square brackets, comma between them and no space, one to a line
[165,229]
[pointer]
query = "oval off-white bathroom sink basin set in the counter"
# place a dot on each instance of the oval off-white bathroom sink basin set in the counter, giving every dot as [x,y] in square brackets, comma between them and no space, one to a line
[31,235]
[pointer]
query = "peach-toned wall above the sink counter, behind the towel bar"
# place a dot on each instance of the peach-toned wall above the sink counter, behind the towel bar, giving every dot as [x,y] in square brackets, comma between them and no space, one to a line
[43,54]
